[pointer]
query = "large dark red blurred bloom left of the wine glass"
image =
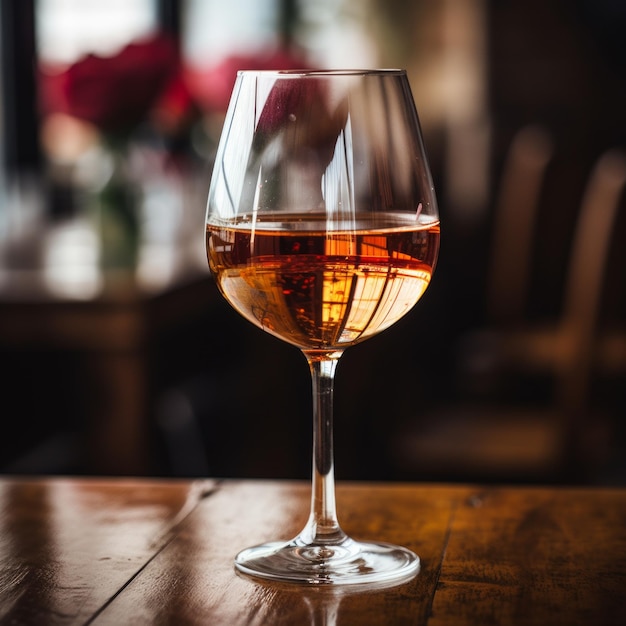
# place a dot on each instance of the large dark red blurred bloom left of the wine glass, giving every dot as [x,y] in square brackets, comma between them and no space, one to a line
[115,93]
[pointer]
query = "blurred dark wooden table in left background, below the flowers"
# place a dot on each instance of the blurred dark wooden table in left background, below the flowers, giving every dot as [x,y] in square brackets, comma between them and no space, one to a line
[112,339]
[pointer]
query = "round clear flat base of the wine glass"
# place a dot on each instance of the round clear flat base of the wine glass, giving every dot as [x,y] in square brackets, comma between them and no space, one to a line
[347,563]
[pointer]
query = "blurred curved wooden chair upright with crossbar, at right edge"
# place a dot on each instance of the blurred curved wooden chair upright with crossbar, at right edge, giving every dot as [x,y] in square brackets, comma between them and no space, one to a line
[576,348]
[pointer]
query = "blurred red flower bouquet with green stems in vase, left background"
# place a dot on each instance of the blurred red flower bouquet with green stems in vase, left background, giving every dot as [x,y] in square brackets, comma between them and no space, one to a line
[100,113]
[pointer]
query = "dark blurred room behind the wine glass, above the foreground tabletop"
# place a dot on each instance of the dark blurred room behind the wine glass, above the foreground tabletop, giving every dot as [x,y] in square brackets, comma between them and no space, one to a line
[117,355]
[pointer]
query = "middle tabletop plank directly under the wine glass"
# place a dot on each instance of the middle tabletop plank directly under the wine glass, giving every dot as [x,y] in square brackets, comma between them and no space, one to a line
[193,581]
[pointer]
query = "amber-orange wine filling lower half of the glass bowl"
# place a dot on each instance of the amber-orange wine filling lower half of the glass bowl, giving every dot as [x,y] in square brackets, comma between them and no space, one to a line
[323,290]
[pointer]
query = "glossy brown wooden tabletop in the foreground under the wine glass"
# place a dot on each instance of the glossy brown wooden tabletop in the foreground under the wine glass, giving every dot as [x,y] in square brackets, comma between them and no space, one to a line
[134,551]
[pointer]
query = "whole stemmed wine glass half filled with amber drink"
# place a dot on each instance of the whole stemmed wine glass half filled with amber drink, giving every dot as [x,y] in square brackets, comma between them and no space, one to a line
[322,229]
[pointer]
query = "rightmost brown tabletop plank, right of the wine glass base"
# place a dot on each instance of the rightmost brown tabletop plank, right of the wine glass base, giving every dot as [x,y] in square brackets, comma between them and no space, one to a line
[535,556]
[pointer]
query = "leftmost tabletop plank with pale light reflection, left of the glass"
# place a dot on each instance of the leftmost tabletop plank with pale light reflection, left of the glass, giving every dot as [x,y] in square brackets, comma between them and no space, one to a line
[67,546]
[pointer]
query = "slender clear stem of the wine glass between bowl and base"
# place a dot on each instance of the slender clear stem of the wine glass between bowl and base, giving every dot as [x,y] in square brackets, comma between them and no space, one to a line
[323,527]
